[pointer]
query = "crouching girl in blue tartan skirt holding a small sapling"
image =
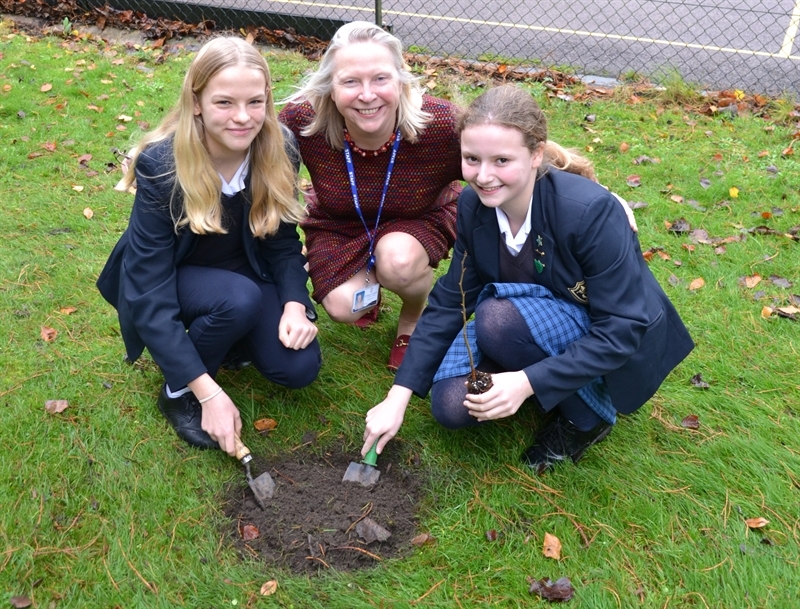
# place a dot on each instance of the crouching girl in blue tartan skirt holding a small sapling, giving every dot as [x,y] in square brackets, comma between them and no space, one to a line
[566,309]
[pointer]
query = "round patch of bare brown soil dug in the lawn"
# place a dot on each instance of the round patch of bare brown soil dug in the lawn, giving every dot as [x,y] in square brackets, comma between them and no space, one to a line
[316,522]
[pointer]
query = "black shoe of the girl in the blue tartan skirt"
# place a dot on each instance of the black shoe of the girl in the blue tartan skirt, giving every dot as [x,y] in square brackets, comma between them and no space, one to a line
[559,440]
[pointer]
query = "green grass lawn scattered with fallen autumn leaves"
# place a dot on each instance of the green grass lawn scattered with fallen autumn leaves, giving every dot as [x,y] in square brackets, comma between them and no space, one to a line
[102,505]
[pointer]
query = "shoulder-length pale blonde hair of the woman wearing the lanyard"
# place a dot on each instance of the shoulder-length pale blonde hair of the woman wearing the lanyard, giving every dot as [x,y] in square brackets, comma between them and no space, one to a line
[317,87]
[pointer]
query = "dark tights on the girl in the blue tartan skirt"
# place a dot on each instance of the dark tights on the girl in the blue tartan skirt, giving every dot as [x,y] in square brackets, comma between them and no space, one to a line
[507,345]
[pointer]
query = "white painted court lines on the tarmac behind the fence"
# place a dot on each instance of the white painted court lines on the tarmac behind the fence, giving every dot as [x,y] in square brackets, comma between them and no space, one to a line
[784,53]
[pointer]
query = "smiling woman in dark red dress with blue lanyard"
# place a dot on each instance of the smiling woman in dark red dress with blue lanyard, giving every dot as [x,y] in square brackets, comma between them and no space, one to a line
[384,164]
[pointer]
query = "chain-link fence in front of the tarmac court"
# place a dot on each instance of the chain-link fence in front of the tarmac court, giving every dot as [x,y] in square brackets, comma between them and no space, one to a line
[713,44]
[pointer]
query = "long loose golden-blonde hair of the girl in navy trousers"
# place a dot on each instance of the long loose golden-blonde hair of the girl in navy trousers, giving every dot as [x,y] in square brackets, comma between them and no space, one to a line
[272,177]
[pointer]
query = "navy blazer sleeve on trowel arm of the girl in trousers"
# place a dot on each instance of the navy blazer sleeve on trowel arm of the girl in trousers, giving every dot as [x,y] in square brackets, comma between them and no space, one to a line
[150,275]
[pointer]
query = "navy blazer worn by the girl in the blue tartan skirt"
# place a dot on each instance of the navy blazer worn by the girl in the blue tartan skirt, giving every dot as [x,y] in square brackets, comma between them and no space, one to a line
[591,258]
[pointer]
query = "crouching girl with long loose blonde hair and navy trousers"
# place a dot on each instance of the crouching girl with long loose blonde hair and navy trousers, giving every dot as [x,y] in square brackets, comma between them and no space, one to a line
[211,257]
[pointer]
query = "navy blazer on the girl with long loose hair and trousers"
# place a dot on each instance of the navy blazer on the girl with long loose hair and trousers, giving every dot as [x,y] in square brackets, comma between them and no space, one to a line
[140,277]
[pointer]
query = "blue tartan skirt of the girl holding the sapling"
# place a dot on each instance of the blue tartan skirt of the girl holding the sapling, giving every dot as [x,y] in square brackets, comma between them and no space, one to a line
[553,323]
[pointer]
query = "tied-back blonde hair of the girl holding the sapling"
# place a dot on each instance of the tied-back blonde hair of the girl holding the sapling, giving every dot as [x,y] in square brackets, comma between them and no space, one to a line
[512,107]
